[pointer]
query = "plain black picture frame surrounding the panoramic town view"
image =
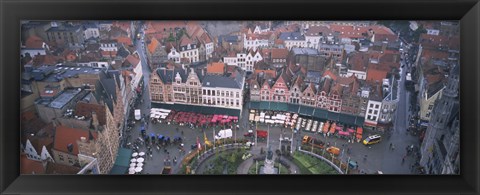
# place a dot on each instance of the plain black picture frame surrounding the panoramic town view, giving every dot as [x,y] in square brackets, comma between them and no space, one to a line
[12,11]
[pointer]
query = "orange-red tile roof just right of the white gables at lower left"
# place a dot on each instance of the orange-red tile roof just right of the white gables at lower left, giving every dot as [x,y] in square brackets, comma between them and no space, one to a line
[66,135]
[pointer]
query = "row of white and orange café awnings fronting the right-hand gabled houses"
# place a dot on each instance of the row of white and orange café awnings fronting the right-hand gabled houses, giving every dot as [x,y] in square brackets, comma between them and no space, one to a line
[298,117]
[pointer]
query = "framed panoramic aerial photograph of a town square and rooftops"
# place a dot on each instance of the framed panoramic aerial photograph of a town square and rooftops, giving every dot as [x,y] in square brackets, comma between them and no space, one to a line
[240,97]
